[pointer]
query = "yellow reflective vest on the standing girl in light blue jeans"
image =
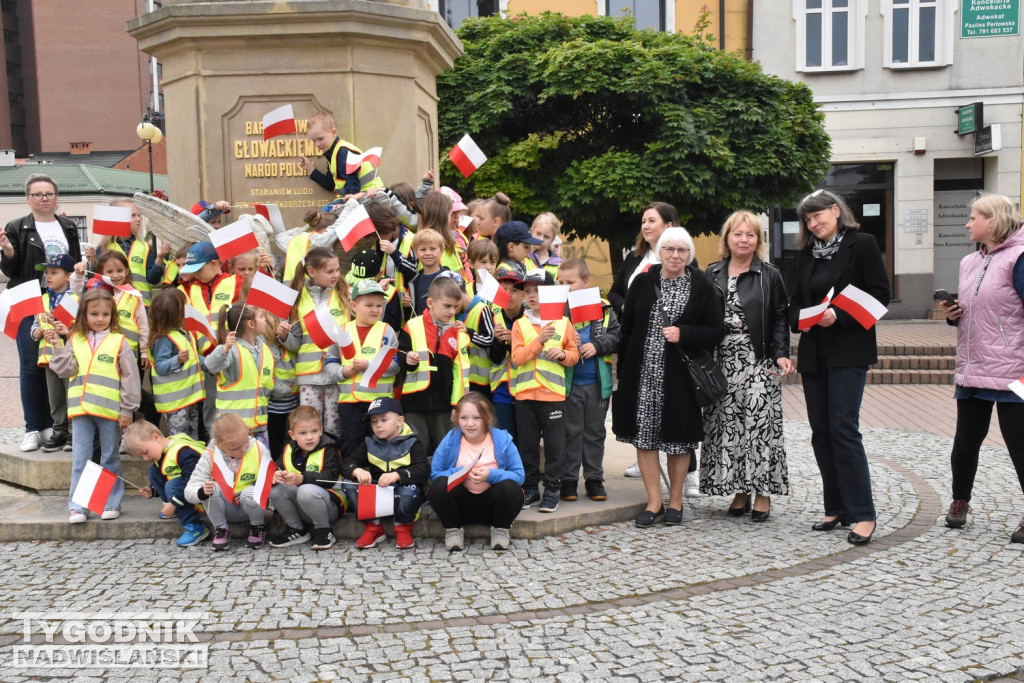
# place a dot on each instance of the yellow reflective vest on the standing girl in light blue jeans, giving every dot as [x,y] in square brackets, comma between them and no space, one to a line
[96,390]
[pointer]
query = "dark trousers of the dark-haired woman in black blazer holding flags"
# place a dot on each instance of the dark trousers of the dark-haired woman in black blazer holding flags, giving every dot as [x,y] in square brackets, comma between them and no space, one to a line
[833,397]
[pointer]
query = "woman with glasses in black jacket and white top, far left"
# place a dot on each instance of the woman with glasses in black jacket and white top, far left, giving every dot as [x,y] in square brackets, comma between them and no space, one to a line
[26,244]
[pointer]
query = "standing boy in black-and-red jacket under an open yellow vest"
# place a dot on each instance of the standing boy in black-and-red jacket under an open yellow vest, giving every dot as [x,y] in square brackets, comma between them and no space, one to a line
[435,349]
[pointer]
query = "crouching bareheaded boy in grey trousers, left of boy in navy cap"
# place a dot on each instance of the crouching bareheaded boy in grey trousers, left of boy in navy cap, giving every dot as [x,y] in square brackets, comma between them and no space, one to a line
[304,494]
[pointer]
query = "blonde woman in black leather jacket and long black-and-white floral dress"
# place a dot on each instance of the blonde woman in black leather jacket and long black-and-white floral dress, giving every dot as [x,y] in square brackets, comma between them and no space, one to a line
[744,452]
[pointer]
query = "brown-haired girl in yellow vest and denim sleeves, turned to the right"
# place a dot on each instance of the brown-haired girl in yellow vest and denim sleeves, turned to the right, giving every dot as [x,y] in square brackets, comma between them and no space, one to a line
[178,376]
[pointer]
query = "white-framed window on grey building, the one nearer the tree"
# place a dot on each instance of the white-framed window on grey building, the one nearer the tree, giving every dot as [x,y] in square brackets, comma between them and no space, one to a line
[830,34]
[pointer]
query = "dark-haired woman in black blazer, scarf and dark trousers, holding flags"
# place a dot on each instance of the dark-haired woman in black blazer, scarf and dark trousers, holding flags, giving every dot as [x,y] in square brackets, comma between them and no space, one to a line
[834,356]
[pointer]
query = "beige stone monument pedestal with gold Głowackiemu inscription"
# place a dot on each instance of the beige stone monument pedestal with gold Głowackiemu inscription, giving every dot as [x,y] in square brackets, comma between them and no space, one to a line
[371,65]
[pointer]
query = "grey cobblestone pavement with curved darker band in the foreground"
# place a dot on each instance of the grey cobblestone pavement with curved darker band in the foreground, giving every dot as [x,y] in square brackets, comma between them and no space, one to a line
[715,600]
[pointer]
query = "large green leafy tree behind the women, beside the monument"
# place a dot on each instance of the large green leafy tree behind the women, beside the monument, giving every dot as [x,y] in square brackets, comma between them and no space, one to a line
[592,119]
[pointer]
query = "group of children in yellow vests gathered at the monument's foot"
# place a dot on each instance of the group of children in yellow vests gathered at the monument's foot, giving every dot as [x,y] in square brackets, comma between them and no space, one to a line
[248,389]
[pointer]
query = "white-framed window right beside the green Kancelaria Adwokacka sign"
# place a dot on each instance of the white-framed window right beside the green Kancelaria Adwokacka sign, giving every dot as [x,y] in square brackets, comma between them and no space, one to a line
[919,33]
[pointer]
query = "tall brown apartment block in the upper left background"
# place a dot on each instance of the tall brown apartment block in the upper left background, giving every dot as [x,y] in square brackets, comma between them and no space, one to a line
[72,76]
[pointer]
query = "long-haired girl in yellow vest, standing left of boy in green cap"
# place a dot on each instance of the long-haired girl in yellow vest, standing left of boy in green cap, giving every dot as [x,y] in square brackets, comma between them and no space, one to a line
[319,283]
